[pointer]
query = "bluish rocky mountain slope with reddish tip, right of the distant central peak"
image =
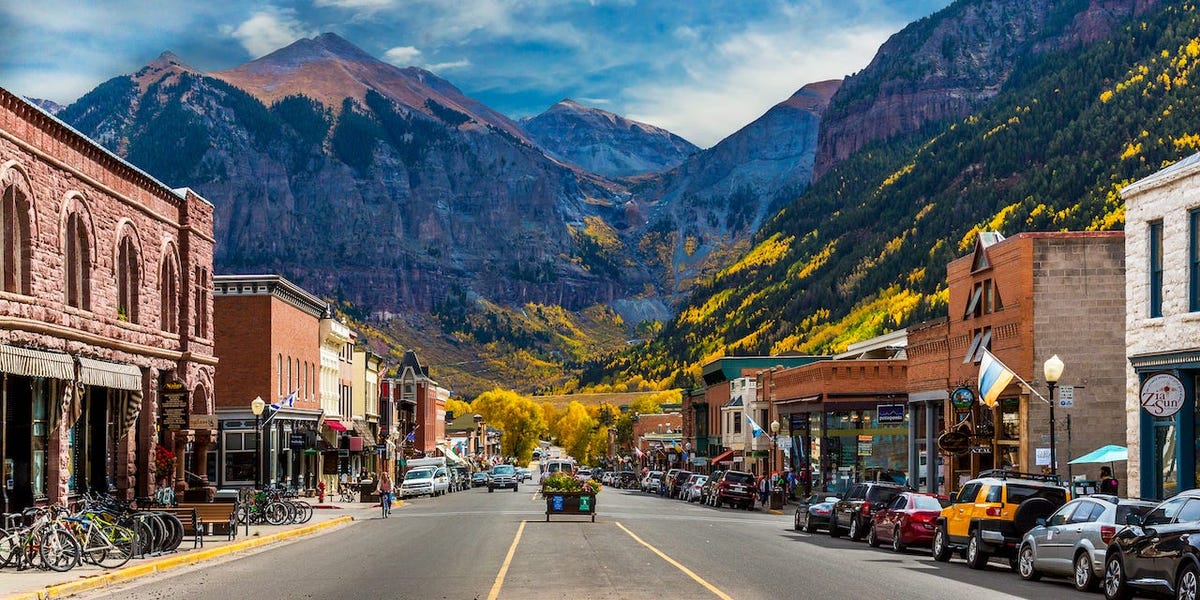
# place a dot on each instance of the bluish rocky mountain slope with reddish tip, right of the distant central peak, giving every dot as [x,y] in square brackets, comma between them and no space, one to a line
[719,197]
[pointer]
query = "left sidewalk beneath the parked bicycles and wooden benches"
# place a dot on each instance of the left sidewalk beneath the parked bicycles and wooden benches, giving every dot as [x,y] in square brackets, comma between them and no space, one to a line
[39,585]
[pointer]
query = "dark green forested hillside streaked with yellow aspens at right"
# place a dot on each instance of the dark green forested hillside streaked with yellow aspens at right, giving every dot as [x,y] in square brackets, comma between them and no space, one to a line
[865,251]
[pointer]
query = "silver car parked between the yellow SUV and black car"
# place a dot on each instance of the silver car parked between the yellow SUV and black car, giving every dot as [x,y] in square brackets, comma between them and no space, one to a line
[1073,541]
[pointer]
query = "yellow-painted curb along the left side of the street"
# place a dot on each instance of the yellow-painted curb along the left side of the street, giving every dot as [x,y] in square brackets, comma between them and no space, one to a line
[167,565]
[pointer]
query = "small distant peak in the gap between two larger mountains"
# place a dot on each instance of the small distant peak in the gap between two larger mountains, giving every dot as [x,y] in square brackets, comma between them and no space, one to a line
[605,143]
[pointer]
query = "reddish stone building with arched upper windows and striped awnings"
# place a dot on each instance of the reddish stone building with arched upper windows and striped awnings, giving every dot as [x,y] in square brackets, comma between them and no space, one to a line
[105,317]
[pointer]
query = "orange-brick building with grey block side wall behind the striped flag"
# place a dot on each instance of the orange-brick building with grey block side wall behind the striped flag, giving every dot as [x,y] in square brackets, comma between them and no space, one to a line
[1025,299]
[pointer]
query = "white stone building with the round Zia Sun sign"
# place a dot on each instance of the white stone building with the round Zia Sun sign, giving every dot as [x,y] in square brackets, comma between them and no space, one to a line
[1162,329]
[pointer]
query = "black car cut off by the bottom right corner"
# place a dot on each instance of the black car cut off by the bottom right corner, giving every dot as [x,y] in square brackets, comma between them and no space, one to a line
[1160,554]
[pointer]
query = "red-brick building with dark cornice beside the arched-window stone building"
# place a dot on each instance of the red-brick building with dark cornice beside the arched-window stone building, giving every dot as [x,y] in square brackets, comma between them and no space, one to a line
[268,333]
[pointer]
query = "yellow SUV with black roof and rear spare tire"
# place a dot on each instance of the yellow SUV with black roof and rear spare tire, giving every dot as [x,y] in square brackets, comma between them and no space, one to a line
[992,514]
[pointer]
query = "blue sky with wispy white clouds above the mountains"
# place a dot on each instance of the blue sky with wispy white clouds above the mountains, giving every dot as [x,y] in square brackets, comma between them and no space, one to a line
[701,69]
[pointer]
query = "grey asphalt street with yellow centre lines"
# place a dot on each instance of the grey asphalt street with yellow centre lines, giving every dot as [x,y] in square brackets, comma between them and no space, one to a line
[641,547]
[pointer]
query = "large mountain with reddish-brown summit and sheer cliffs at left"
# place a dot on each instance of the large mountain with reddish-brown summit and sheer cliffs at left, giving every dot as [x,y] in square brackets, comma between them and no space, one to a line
[385,187]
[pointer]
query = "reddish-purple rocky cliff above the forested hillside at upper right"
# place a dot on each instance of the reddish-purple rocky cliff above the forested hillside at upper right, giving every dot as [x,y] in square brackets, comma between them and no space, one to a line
[952,63]
